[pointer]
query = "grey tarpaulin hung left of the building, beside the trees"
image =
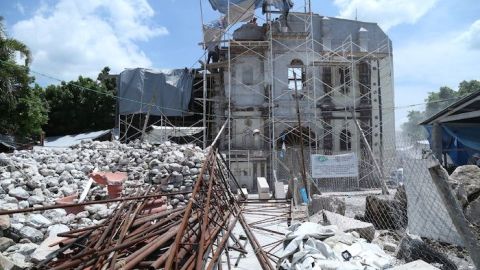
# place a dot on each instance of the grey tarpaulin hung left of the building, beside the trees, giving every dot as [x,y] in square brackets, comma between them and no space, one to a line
[158,93]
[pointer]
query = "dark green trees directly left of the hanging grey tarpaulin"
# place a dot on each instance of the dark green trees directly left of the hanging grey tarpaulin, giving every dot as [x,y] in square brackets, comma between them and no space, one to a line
[90,103]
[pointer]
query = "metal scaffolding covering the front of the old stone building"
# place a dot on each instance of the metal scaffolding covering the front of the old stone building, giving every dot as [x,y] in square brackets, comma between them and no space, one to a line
[338,85]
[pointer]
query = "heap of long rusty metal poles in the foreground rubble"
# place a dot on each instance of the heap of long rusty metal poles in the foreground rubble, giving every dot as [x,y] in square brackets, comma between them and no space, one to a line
[137,236]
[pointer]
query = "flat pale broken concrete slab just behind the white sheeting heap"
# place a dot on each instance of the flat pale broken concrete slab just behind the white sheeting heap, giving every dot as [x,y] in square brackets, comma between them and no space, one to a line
[346,224]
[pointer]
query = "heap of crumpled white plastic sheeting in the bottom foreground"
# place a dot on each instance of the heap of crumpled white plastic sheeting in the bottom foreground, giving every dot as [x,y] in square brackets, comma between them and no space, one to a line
[307,251]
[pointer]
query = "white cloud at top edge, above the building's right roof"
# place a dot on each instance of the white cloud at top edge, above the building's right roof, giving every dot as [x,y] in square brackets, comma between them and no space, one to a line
[387,13]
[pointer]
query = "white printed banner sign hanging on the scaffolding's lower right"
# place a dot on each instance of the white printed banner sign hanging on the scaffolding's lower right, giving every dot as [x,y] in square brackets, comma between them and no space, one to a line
[345,165]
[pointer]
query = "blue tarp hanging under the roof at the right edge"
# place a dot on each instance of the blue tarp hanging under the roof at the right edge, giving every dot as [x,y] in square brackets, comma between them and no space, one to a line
[459,140]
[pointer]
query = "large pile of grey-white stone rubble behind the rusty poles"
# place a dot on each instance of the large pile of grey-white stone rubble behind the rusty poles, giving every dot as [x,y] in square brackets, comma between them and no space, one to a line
[43,175]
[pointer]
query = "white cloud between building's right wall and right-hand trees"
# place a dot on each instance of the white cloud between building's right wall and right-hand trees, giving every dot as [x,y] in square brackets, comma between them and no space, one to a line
[424,66]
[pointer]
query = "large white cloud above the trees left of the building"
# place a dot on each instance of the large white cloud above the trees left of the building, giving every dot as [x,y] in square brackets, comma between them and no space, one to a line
[75,38]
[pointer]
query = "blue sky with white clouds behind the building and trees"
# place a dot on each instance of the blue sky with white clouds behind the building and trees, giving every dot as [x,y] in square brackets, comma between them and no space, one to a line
[435,42]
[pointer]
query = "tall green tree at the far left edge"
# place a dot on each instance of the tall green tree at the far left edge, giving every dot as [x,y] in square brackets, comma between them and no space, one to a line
[22,109]
